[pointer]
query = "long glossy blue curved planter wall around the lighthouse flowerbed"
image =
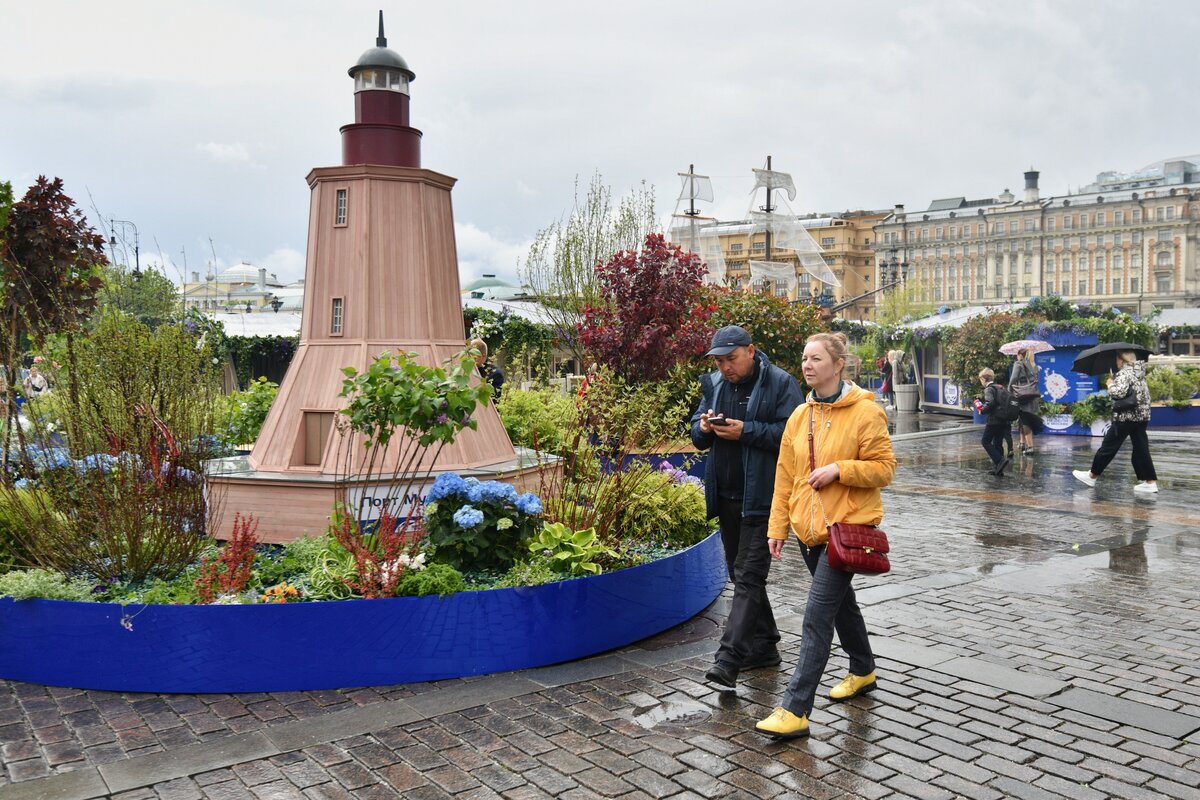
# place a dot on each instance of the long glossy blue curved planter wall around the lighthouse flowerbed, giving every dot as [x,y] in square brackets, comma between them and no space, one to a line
[272,648]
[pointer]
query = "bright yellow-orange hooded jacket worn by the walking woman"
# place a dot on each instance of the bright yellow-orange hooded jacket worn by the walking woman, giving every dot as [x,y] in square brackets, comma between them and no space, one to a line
[851,431]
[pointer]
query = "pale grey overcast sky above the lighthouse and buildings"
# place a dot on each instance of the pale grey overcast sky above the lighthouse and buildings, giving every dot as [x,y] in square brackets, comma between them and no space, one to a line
[199,122]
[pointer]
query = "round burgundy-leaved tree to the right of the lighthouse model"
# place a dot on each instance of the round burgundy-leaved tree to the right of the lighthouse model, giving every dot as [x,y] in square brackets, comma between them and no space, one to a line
[653,315]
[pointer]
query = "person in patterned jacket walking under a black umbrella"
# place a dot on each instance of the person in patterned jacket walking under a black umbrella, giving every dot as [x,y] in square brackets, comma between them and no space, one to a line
[1131,410]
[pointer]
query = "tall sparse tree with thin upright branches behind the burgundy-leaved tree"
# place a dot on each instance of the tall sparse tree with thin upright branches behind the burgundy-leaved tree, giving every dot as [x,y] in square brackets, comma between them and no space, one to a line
[562,261]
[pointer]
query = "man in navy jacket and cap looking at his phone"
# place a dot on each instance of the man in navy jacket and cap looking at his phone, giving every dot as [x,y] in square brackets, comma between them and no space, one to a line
[741,422]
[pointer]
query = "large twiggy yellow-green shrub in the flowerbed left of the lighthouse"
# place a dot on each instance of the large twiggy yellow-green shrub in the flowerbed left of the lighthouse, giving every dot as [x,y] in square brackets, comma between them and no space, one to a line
[128,501]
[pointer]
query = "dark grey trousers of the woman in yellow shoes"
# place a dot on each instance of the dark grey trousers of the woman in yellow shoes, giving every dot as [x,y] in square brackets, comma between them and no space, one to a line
[831,606]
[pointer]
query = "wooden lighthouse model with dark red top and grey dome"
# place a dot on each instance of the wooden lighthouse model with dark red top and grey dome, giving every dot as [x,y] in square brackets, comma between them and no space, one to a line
[382,275]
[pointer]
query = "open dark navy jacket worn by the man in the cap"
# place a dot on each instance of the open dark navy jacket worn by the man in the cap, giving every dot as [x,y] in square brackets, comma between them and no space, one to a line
[773,399]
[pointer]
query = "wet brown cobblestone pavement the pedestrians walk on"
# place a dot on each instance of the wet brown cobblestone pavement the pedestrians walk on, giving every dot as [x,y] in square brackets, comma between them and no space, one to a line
[1036,639]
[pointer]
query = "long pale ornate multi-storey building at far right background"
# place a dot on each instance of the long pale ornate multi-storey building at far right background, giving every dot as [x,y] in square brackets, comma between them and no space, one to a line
[1127,240]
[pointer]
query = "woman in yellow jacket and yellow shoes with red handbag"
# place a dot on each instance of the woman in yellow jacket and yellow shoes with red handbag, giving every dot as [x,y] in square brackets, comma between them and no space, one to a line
[854,462]
